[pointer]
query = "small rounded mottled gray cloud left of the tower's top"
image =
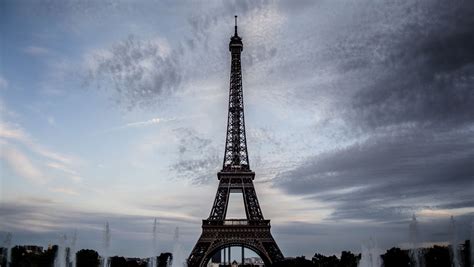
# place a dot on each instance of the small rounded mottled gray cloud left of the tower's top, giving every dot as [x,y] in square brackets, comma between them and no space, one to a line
[138,72]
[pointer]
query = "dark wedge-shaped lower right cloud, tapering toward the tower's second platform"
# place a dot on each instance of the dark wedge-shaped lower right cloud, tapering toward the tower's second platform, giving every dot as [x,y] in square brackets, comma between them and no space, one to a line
[389,177]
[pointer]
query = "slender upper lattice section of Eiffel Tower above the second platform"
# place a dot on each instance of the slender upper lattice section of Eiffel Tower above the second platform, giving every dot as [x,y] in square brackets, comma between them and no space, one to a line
[235,156]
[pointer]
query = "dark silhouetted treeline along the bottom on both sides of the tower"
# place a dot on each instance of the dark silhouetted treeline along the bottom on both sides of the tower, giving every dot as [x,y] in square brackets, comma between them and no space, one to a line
[436,256]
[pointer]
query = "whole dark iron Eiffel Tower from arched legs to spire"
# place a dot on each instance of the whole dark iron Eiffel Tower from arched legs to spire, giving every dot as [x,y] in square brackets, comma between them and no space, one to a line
[253,232]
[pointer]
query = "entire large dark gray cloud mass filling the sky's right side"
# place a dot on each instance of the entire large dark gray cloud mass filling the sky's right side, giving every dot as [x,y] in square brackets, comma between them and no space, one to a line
[405,98]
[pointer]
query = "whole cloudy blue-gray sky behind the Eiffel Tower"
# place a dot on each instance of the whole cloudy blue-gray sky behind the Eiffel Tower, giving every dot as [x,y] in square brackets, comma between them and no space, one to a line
[359,114]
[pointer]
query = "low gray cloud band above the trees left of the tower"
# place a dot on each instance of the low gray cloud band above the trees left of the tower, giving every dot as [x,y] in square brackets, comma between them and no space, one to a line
[127,231]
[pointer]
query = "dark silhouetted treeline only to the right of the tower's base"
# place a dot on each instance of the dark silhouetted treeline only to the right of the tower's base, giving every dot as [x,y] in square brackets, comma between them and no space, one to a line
[436,256]
